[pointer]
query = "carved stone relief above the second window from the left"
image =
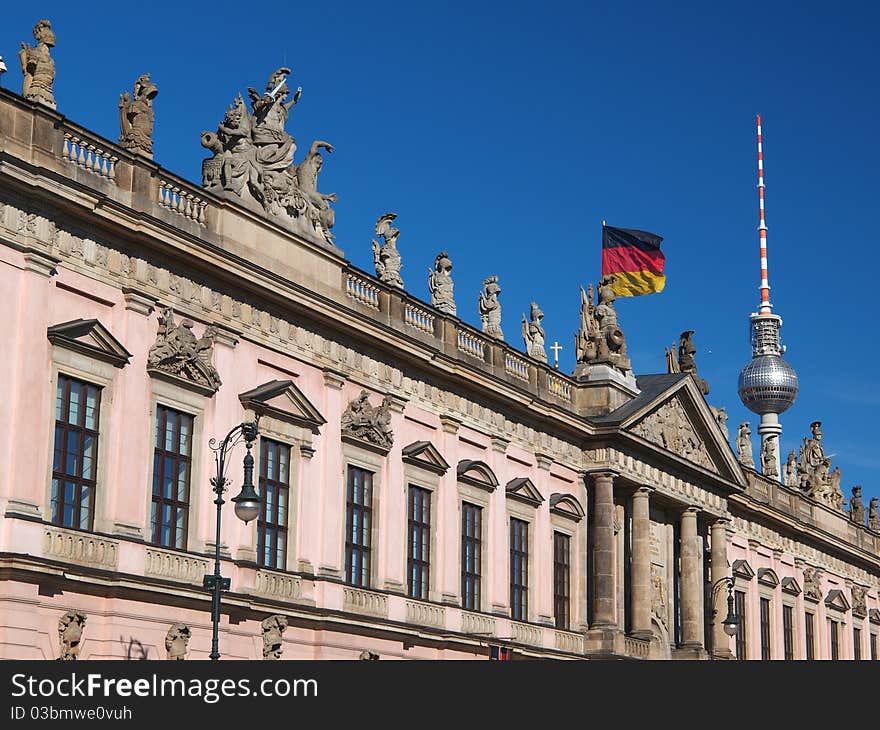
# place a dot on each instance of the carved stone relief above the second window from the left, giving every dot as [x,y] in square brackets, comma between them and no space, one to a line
[178,352]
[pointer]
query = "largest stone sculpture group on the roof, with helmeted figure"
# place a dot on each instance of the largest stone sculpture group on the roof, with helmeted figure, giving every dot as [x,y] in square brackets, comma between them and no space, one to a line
[253,161]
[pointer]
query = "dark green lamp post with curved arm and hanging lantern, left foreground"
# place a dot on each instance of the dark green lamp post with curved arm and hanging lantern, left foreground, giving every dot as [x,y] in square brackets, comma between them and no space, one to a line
[247,507]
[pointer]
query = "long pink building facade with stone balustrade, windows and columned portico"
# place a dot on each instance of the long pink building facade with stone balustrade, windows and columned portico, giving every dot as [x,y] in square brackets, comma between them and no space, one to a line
[481,499]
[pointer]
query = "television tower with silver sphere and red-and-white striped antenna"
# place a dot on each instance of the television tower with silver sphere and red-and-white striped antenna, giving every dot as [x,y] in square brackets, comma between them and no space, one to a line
[768,385]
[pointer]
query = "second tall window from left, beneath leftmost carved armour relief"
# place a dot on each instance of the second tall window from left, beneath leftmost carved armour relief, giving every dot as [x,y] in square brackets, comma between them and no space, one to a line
[172,458]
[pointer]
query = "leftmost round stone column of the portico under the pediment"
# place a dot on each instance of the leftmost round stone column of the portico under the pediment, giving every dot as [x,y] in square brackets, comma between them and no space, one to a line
[604,614]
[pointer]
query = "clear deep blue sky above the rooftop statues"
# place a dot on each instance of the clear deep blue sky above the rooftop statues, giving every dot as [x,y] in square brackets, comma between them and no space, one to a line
[505,132]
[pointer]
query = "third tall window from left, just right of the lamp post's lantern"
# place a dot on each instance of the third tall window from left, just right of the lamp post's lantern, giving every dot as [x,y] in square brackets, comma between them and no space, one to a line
[274,490]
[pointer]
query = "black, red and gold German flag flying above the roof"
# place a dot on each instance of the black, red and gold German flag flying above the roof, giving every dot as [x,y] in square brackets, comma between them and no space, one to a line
[635,260]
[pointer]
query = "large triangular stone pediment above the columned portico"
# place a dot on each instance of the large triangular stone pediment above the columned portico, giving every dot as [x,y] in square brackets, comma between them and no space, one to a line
[680,422]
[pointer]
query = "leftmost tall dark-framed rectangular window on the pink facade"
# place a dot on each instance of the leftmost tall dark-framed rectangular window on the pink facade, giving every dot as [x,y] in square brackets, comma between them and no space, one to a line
[75,457]
